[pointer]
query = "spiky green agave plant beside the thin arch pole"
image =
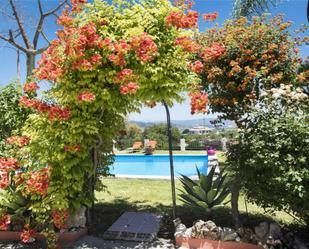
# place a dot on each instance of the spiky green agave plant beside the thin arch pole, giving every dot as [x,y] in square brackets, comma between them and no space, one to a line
[209,191]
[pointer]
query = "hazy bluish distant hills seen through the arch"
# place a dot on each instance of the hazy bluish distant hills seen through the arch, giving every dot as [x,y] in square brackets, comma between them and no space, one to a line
[184,124]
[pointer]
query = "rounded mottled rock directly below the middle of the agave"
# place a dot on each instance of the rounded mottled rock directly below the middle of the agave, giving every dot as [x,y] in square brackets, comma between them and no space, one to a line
[205,230]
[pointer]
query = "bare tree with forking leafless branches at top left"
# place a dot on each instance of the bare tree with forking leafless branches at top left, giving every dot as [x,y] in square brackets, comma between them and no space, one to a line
[30,47]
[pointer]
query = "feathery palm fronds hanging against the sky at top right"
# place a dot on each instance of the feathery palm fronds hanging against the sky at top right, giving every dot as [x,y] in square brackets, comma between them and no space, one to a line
[249,8]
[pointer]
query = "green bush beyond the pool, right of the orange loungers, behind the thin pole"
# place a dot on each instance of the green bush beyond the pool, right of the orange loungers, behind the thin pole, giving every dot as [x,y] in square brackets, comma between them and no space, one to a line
[158,133]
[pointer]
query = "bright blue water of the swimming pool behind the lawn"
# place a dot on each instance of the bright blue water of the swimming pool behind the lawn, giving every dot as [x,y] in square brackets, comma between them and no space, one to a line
[158,165]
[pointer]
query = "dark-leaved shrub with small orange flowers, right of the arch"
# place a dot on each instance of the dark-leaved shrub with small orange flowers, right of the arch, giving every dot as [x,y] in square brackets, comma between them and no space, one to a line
[243,58]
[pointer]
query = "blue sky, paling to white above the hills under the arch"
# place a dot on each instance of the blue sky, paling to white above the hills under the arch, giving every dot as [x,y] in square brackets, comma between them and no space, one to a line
[294,10]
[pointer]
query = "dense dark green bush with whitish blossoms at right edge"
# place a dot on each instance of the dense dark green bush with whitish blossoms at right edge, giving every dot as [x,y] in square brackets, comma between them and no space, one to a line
[271,158]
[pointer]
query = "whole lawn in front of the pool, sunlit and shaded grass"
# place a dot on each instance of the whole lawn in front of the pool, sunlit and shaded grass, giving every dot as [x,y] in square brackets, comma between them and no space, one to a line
[155,196]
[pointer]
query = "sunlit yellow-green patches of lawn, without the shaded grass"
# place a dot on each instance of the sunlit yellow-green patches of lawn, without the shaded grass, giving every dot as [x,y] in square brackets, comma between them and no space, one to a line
[156,195]
